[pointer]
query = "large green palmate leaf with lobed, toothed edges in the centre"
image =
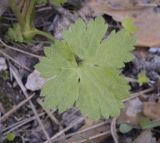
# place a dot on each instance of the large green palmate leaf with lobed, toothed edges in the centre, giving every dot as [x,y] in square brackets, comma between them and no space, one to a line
[86,70]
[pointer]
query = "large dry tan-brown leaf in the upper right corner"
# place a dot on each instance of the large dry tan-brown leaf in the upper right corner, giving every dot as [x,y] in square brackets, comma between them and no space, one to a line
[146,17]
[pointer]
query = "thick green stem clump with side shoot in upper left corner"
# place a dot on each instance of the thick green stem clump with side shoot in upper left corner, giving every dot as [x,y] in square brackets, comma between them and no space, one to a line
[24,29]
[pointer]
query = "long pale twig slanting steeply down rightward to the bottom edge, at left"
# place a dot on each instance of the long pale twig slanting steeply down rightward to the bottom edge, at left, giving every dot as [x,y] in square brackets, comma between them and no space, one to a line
[16,76]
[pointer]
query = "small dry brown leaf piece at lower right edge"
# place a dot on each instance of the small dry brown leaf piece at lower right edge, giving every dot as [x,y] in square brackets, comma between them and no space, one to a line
[152,110]
